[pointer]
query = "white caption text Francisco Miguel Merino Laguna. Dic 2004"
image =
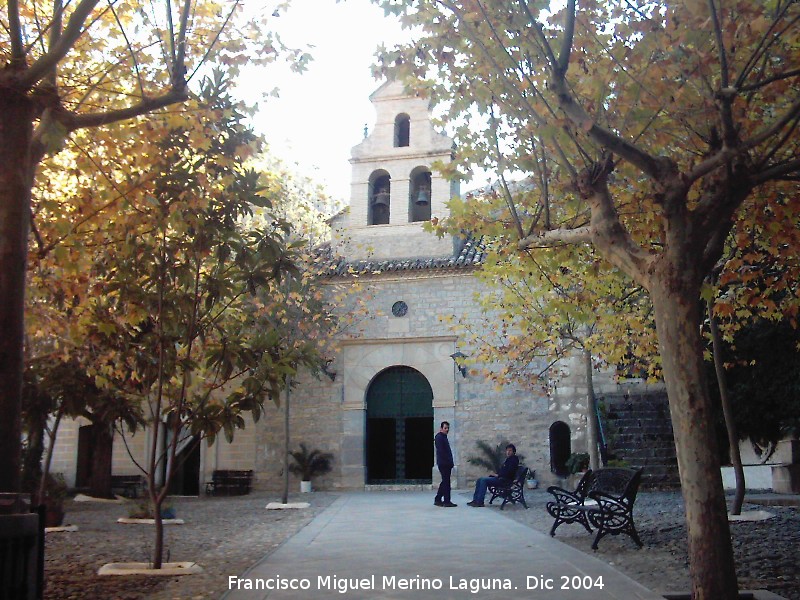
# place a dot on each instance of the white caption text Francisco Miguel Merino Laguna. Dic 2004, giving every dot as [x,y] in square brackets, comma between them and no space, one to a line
[392,582]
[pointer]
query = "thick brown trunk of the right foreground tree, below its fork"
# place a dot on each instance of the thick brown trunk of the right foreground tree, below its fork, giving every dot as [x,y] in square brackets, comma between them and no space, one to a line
[676,303]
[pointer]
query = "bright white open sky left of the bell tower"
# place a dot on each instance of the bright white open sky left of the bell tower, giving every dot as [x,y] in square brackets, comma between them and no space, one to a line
[320,114]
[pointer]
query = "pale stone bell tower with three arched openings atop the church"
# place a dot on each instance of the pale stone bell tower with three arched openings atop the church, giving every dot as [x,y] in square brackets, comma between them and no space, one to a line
[394,189]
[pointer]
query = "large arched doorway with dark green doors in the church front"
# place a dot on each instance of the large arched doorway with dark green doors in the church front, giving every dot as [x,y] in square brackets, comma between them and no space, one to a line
[399,427]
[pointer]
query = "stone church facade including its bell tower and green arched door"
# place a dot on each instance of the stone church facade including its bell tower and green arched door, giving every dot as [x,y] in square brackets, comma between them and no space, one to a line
[396,375]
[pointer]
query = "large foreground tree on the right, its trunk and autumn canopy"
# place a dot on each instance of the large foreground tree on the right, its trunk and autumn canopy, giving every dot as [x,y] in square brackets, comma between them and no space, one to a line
[650,130]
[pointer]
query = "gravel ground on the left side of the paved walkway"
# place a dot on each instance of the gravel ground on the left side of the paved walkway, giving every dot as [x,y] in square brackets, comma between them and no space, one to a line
[225,535]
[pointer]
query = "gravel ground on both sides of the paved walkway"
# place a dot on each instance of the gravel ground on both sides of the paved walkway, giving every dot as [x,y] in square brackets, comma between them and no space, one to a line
[228,535]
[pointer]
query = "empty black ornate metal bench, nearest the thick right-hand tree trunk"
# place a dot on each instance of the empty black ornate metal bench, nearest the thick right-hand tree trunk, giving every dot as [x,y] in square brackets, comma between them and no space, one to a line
[604,499]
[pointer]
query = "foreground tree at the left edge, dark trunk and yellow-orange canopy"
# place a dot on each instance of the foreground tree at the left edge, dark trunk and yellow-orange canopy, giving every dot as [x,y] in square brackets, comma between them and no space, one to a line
[69,71]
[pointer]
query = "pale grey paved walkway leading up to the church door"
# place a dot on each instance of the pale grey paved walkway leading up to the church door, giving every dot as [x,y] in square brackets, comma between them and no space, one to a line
[399,545]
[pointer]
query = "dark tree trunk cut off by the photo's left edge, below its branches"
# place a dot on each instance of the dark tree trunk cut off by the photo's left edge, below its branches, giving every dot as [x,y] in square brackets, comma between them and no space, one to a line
[16,131]
